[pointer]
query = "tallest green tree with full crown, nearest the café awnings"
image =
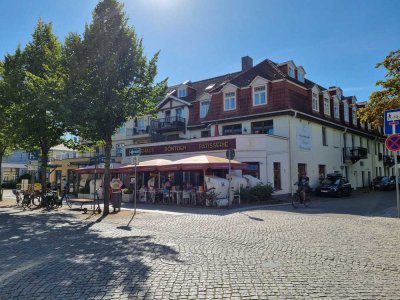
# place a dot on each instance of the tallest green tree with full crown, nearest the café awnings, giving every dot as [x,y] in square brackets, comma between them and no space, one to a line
[110,79]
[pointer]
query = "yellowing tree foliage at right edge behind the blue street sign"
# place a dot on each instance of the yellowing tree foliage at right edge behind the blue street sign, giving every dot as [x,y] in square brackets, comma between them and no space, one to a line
[388,97]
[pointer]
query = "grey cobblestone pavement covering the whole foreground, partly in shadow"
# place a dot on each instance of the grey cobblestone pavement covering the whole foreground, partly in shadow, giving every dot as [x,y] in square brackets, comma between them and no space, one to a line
[218,254]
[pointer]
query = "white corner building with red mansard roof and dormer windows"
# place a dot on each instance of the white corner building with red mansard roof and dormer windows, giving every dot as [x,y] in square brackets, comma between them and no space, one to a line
[277,120]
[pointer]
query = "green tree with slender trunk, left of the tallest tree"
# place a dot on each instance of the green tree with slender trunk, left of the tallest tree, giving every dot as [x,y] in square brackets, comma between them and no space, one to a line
[36,85]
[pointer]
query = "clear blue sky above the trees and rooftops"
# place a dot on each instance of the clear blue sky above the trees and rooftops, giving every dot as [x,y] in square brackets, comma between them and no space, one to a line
[337,42]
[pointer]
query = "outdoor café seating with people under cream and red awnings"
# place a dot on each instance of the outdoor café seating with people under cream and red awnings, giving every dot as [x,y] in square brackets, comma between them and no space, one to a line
[183,182]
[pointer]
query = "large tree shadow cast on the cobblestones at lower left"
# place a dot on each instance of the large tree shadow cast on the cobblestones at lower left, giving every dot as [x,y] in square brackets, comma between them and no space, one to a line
[67,258]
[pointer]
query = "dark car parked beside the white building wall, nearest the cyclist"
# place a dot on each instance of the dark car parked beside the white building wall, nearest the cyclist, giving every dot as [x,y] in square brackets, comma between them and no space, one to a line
[335,185]
